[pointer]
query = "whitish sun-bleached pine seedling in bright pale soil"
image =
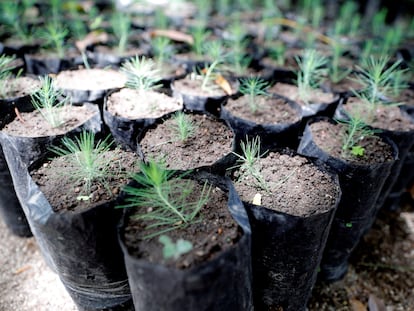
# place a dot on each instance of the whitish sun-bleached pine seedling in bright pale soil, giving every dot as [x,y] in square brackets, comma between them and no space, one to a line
[142,74]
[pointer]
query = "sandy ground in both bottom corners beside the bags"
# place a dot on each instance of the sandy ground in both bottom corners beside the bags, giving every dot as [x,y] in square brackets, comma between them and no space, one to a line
[382,268]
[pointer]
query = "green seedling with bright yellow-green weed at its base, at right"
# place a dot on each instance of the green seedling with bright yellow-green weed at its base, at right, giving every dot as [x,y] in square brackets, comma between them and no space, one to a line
[355,130]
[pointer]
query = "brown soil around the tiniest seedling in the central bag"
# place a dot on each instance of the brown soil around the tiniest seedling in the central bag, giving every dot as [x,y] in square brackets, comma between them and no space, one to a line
[212,140]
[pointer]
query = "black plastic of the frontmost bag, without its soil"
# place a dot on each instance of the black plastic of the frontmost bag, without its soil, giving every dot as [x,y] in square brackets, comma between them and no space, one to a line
[223,283]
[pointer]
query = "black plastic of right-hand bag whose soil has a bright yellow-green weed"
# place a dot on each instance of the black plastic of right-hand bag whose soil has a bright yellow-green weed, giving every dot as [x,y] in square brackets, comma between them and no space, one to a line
[361,186]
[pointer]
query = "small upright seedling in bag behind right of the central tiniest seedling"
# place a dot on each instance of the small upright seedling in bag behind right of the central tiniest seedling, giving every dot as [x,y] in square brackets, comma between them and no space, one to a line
[255,89]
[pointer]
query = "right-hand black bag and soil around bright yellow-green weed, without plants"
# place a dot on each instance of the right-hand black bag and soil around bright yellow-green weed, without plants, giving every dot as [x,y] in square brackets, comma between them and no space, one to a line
[361,180]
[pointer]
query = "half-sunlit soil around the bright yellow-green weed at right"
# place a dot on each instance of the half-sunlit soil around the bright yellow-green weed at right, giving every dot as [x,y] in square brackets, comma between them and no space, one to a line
[329,138]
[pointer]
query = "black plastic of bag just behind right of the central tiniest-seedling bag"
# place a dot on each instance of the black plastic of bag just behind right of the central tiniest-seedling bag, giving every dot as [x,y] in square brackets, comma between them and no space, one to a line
[271,135]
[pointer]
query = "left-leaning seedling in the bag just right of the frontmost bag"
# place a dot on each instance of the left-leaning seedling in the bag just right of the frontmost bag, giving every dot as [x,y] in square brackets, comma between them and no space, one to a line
[248,162]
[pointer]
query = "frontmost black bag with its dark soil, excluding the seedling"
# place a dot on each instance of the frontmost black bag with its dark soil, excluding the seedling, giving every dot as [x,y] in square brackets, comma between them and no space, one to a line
[214,275]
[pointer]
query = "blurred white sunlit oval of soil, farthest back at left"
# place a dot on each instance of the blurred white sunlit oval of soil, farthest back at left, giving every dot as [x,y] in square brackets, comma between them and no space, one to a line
[90,79]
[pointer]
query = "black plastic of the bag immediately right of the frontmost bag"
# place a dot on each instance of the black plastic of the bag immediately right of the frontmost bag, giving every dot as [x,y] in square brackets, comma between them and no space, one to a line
[286,252]
